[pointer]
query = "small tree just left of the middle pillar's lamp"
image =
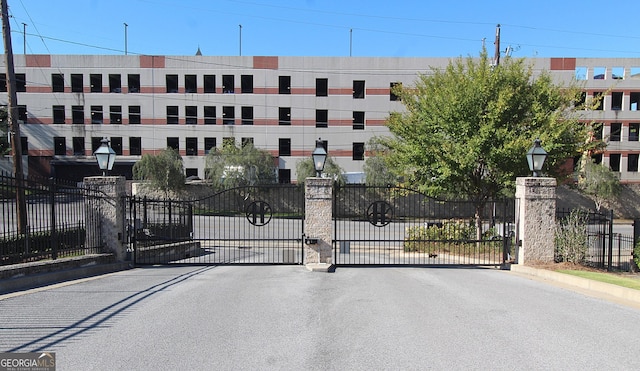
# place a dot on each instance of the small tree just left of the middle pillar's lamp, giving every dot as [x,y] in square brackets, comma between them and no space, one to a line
[234,166]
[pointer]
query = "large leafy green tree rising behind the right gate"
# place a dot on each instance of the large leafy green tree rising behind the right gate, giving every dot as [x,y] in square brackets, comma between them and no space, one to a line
[466,128]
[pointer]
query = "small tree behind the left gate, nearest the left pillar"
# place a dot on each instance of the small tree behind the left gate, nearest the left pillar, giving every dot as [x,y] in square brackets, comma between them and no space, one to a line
[163,171]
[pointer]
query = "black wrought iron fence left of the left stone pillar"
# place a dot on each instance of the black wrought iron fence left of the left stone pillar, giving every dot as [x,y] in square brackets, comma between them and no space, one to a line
[54,223]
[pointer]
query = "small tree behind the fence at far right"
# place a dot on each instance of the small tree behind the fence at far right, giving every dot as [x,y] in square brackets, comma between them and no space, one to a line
[599,182]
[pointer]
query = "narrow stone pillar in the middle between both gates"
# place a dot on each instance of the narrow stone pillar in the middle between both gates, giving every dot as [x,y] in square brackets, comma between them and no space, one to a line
[318,224]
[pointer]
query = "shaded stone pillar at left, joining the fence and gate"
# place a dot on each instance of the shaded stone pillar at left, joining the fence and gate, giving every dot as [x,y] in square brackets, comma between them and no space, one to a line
[106,212]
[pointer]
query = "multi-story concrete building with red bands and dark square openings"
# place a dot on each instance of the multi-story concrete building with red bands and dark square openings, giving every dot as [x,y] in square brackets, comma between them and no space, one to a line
[143,104]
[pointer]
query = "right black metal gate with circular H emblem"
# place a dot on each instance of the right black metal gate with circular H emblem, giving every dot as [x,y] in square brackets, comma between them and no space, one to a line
[399,226]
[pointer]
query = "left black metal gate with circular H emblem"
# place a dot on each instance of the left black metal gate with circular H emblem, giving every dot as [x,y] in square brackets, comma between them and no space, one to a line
[244,225]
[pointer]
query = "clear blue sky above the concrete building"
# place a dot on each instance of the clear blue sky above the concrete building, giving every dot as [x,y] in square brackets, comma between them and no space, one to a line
[411,28]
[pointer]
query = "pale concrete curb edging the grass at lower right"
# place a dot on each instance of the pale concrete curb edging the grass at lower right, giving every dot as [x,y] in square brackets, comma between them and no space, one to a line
[596,288]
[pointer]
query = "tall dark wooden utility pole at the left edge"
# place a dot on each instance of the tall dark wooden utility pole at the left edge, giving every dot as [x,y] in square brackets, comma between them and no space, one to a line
[14,126]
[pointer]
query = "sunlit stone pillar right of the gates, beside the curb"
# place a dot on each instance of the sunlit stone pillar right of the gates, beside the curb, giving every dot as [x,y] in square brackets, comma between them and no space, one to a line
[535,219]
